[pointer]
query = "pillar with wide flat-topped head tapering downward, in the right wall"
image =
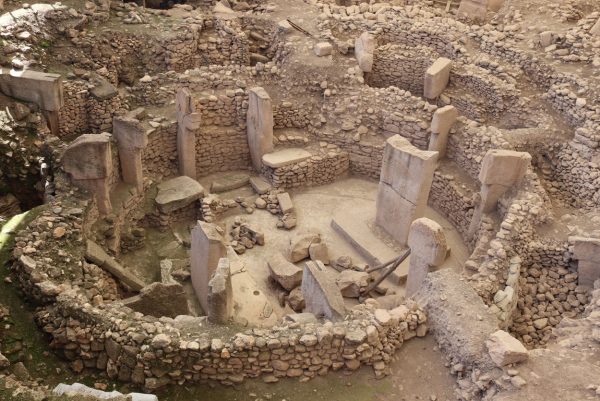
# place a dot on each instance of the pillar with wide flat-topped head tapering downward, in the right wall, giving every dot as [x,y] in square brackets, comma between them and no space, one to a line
[500,170]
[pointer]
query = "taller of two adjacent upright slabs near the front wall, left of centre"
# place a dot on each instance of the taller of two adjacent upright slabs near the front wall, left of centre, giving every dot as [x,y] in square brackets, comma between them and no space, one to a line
[207,250]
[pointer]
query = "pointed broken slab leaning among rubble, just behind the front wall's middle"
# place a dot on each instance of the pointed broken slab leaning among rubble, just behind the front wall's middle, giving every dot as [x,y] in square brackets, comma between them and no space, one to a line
[321,295]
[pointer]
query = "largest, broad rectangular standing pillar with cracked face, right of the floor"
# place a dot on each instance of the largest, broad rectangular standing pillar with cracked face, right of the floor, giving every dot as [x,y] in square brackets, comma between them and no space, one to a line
[404,185]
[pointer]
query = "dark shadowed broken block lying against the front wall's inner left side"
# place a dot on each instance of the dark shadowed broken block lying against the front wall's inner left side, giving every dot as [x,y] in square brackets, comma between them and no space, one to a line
[158,299]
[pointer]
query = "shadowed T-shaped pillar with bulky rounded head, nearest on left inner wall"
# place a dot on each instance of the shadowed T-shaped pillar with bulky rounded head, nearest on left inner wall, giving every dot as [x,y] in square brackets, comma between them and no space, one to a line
[88,159]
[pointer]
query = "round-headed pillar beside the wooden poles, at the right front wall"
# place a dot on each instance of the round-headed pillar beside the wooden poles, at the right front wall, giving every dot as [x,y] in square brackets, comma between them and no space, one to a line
[428,247]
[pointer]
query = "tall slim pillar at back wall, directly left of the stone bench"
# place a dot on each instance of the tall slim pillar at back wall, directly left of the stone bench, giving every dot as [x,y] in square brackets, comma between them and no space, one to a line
[259,122]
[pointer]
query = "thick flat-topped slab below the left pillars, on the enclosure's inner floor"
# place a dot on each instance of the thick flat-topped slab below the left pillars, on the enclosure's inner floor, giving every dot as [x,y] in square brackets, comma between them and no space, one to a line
[178,193]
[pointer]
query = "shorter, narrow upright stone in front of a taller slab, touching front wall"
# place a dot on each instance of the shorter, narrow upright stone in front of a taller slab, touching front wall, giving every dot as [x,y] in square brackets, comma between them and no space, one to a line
[220,294]
